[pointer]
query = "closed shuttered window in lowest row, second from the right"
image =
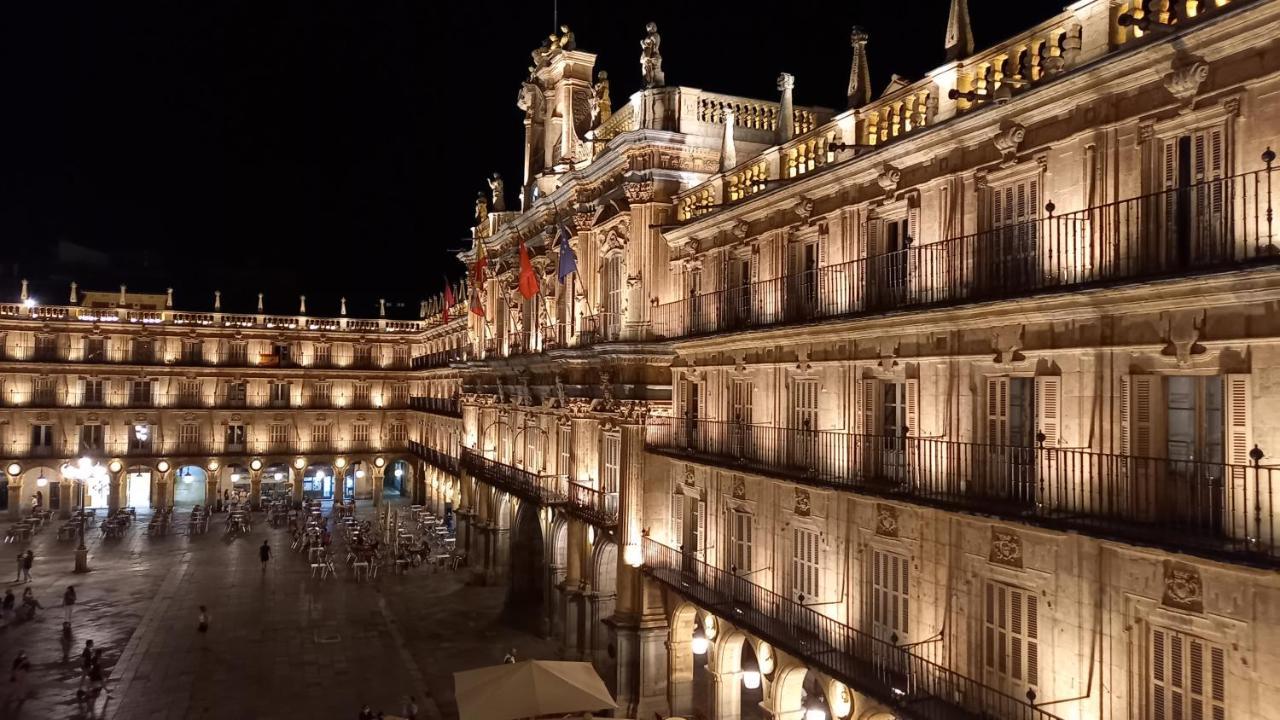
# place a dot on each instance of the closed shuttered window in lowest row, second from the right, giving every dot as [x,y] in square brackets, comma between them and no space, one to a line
[1012,637]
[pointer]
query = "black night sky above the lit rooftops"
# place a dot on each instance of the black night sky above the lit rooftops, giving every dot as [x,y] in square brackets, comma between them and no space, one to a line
[333,148]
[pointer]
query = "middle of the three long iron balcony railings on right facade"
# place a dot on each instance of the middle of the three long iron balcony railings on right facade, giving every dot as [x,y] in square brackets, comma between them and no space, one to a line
[1196,505]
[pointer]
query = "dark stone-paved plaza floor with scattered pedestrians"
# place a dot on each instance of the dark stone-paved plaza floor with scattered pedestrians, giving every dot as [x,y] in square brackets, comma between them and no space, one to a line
[281,645]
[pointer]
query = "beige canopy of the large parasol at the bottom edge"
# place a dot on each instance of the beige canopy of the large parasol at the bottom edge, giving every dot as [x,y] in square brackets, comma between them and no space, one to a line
[529,690]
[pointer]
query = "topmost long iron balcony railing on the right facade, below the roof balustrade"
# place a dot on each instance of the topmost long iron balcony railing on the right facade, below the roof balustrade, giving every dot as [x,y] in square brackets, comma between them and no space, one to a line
[1204,227]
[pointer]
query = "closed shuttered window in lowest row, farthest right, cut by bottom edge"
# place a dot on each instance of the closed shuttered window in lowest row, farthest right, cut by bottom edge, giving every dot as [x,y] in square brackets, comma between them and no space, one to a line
[1188,677]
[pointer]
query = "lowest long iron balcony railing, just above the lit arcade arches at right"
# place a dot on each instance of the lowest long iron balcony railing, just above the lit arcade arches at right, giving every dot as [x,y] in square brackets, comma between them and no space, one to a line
[913,686]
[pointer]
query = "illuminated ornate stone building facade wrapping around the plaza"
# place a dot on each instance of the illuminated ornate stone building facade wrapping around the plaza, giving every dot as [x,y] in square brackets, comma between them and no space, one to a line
[956,403]
